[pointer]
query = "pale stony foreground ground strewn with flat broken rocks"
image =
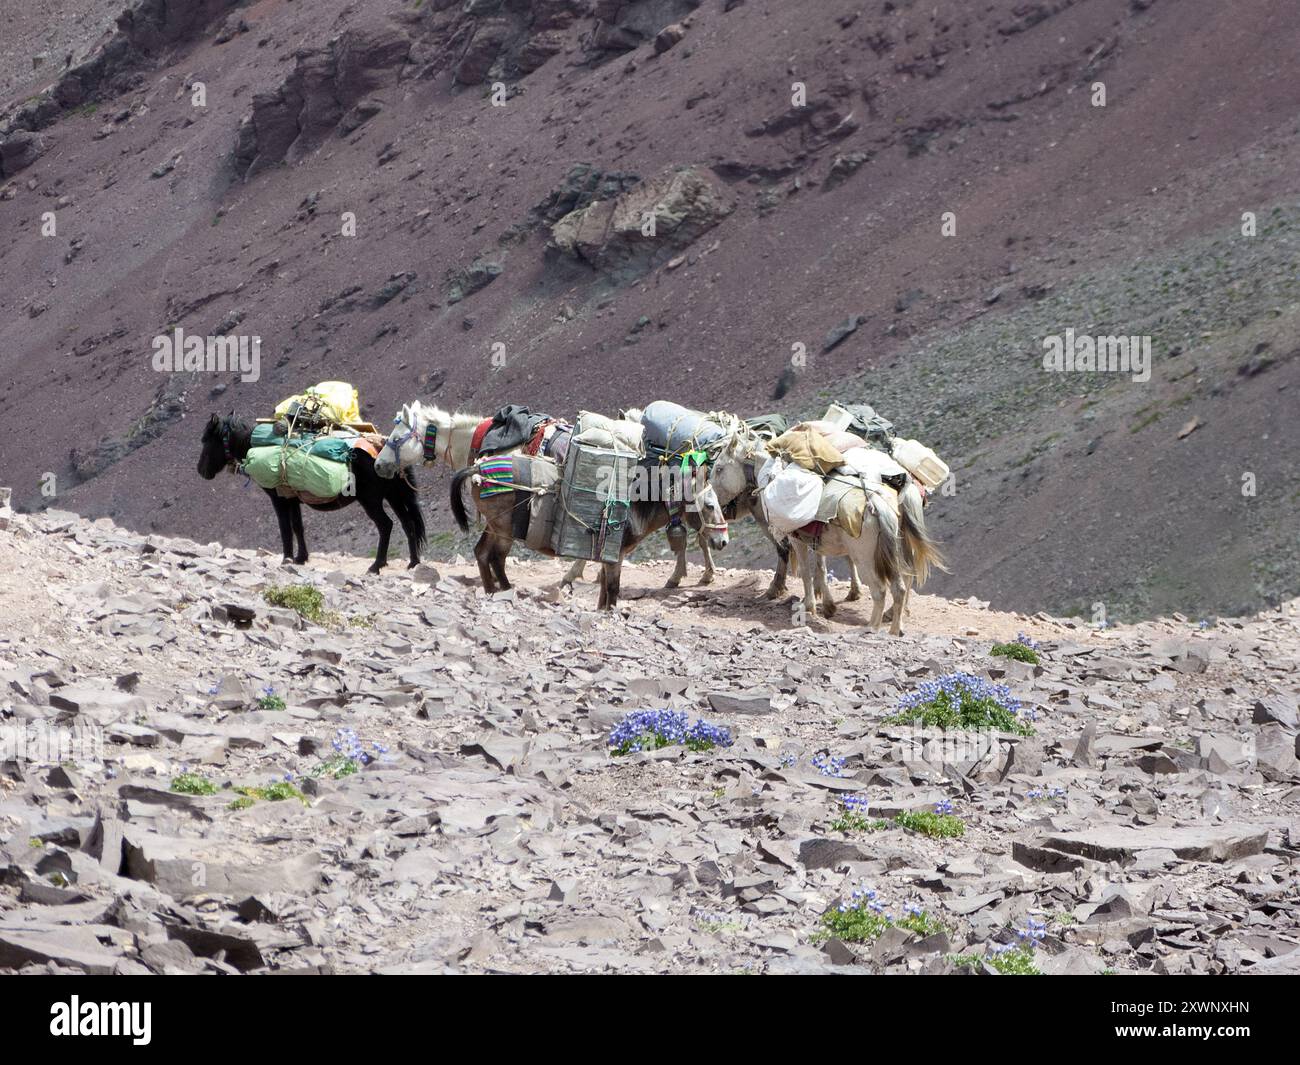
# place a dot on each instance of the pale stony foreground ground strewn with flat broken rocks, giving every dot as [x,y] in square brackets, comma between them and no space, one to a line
[175,794]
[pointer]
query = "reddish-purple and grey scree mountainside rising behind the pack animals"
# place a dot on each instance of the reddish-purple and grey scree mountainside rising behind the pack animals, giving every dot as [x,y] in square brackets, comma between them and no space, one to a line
[207,164]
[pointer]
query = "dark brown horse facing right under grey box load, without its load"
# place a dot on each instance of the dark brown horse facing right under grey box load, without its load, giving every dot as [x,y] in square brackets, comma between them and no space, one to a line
[644,518]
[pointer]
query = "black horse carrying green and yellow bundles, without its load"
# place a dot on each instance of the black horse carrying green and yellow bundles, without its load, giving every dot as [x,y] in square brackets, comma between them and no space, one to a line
[226,441]
